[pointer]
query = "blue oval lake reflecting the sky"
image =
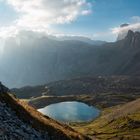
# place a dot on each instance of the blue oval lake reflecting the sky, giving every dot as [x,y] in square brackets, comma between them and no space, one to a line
[70,112]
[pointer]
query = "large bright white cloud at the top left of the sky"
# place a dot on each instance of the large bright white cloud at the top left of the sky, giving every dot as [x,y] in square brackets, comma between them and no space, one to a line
[40,14]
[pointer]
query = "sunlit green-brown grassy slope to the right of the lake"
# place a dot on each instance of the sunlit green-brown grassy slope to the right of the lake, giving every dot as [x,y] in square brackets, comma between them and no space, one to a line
[119,122]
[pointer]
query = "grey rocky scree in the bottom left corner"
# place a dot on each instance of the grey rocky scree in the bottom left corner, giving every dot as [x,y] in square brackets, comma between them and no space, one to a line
[12,128]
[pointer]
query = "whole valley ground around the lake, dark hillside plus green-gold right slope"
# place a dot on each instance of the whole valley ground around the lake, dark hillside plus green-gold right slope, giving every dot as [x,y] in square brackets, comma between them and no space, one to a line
[117,97]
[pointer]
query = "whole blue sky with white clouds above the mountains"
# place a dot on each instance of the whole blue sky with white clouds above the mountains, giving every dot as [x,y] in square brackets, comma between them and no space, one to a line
[97,19]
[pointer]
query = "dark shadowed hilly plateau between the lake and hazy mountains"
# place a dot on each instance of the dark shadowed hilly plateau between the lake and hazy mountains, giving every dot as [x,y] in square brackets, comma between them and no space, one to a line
[99,91]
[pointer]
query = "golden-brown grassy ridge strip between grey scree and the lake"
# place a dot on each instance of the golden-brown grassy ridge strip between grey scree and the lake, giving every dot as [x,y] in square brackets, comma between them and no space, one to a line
[38,121]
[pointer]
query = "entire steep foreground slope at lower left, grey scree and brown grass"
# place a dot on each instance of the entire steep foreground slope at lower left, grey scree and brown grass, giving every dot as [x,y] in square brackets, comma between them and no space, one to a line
[20,121]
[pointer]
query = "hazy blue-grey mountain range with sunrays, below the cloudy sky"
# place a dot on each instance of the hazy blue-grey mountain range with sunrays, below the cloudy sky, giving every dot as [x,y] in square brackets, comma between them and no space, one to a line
[30,59]
